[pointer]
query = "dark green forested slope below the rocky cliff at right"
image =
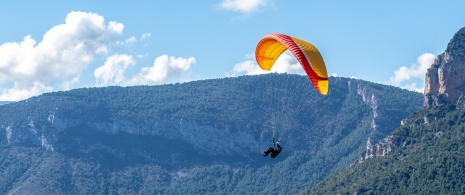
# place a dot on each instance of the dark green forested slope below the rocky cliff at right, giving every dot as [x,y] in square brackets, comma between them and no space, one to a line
[428,158]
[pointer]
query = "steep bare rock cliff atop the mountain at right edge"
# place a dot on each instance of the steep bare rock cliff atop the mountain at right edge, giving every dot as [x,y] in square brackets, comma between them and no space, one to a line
[445,80]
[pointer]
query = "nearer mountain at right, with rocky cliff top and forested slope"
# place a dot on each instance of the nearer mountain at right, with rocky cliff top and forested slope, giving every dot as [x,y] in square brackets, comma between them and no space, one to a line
[425,155]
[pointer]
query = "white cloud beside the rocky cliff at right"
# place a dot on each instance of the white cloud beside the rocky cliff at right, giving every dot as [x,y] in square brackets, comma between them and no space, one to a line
[409,77]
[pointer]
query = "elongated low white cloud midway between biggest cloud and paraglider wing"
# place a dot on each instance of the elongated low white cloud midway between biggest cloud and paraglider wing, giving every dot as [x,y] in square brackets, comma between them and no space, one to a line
[164,68]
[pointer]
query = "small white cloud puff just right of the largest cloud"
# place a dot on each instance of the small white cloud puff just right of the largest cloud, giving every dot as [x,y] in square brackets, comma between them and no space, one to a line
[112,72]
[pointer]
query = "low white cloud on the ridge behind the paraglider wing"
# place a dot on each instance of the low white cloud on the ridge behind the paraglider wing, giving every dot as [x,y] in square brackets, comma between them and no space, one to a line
[285,63]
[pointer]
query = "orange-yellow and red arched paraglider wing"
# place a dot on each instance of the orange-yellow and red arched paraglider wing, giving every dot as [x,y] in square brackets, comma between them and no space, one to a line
[270,47]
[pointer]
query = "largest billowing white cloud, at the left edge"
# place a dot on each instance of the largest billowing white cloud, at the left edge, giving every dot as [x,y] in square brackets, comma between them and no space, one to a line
[63,53]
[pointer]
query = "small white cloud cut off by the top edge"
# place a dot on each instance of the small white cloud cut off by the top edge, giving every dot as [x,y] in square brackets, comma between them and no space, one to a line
[244,6]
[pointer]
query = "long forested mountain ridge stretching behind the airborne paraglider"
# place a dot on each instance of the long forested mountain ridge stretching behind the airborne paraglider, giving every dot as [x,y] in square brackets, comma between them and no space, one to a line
[201,137]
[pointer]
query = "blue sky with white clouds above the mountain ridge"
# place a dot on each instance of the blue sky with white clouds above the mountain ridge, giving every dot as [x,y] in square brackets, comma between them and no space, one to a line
[60,45]
